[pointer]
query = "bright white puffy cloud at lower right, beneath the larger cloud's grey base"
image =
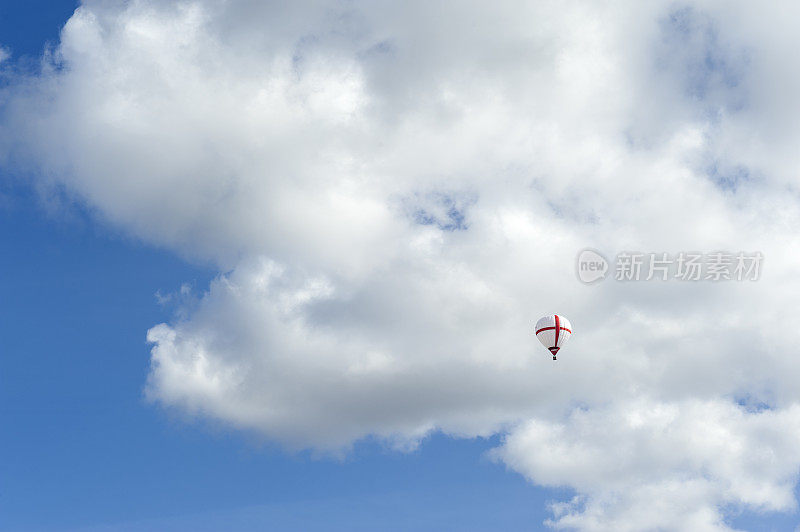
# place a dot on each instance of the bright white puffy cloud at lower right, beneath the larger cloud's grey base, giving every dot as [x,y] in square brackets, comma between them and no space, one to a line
[674,464]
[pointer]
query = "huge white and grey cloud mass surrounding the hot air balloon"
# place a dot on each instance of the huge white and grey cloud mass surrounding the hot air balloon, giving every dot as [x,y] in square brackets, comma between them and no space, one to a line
[393,194]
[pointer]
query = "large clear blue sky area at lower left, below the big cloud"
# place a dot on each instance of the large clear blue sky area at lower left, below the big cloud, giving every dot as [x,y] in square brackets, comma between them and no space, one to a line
[81,449]
